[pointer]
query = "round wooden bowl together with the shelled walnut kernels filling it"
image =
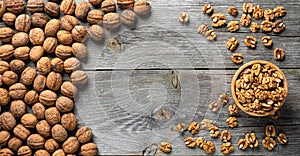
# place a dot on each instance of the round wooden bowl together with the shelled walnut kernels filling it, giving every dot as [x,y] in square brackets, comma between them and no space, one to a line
[259,88]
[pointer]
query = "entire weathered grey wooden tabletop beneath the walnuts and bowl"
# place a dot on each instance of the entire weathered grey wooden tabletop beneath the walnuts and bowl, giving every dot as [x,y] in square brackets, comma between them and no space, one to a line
[126,86]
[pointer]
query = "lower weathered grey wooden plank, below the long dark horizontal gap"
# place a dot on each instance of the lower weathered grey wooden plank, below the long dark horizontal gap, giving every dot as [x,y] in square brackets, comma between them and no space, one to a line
[118,106]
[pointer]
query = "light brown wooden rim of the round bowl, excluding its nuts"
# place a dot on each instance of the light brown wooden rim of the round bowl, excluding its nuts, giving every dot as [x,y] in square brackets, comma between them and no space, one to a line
[285,86]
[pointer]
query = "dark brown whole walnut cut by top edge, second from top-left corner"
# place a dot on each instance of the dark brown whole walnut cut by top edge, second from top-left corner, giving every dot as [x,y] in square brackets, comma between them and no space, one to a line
[15,6]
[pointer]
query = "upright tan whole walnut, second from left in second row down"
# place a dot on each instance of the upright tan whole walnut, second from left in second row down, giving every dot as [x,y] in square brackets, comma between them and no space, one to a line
[23,23]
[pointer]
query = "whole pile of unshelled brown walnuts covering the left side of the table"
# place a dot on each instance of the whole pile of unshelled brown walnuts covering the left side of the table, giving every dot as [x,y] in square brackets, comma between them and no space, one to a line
[37,105]
